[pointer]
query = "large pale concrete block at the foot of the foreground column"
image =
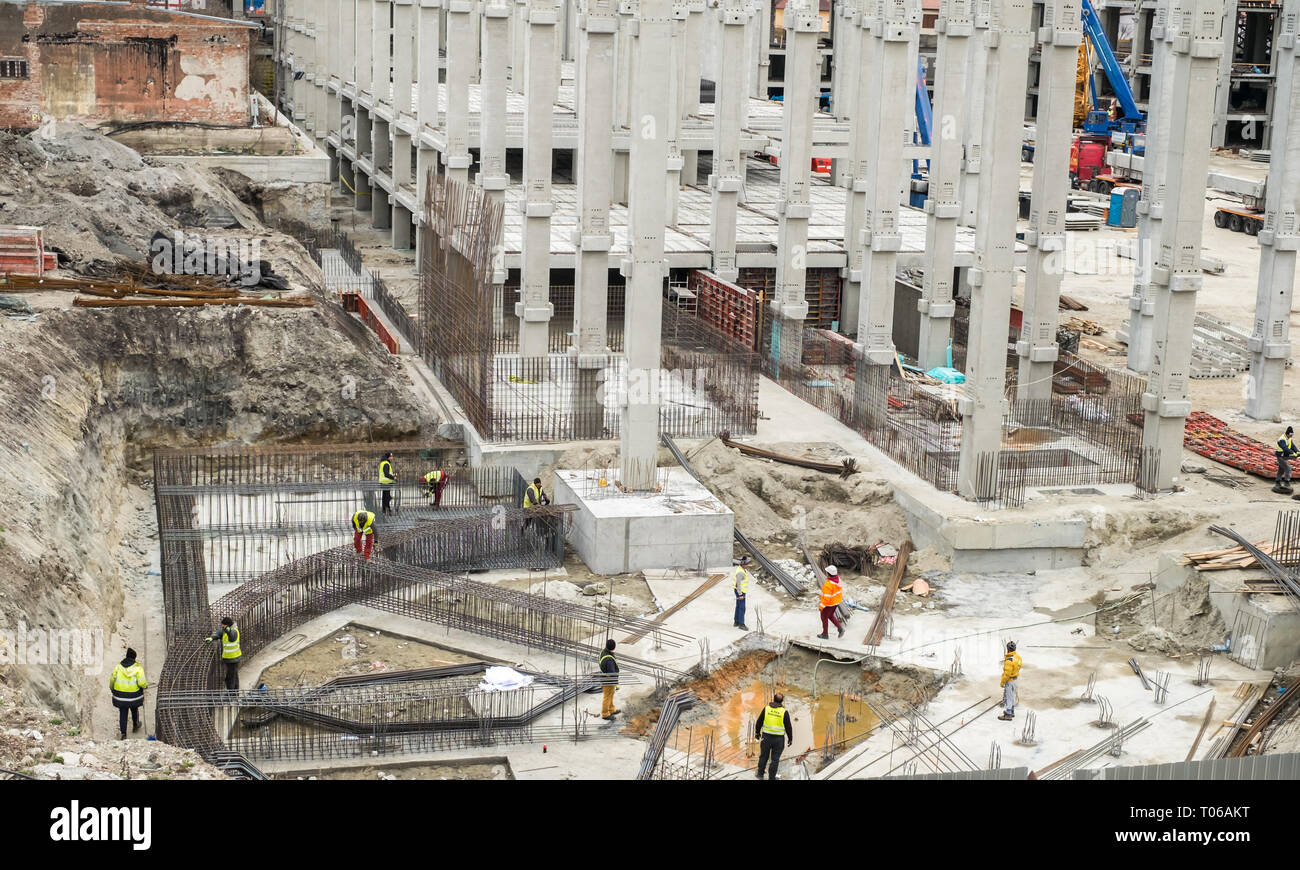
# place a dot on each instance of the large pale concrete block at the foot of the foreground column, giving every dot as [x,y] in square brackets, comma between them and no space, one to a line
[682,527]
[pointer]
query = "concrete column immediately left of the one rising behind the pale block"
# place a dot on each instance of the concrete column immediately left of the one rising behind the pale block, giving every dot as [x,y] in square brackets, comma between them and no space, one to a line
[595,70]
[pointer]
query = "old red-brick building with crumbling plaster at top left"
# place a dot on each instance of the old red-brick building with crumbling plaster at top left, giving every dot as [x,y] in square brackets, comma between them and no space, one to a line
[122,63]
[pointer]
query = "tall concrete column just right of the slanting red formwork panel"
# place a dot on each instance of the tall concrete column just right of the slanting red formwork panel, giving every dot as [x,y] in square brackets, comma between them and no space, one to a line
[790,306]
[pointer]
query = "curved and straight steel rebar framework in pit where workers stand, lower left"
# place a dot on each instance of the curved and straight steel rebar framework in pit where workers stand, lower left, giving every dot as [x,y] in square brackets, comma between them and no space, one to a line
[408,575]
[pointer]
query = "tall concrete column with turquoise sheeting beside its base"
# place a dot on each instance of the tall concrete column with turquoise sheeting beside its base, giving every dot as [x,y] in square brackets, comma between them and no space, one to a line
[943,205]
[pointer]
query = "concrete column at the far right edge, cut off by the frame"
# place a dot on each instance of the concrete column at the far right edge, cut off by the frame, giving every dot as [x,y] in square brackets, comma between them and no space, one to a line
[1271,345]
